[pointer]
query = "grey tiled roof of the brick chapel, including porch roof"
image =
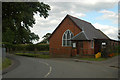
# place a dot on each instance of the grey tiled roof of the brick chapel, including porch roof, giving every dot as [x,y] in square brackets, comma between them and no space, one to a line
[89,32]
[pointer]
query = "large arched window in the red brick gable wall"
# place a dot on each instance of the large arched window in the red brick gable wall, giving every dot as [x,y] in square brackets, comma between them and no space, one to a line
[66,38]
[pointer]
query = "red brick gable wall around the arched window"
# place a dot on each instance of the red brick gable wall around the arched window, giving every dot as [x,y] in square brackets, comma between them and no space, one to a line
[56,48]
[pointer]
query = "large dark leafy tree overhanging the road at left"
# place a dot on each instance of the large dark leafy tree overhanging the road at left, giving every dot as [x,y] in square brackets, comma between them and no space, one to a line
[17,18]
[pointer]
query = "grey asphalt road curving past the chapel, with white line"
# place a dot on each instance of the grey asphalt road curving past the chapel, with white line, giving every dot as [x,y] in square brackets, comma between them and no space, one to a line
[59,68]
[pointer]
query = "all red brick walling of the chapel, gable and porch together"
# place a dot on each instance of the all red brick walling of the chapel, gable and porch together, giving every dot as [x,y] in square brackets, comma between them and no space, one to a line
[56,48]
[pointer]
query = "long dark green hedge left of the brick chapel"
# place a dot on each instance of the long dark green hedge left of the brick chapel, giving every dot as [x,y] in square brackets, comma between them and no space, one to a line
[26,47]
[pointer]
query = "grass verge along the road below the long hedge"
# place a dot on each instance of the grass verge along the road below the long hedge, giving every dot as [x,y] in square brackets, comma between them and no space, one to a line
[33,55]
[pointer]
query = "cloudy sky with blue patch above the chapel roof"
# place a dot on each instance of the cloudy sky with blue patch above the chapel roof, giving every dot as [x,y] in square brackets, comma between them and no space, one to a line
[101,14]
